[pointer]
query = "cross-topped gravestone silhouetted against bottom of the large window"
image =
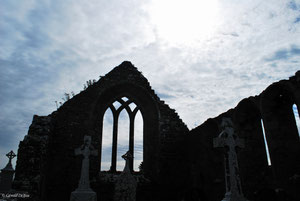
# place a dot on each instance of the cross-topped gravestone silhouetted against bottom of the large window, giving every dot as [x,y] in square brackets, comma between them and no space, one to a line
[125,187]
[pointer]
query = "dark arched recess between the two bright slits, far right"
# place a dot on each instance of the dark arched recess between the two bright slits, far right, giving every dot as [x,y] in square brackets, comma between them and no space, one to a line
[281,130]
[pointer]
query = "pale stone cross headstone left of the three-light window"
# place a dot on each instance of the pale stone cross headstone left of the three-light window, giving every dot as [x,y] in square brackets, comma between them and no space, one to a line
[84,192]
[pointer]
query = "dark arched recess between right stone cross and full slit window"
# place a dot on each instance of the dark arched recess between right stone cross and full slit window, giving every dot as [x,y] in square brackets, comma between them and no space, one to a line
[253,157]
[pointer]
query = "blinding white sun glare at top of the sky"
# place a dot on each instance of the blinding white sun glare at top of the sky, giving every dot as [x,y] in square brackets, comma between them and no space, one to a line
[184,21]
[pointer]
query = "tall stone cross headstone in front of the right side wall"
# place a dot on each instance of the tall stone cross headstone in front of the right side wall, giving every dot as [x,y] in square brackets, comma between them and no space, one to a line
[228,139]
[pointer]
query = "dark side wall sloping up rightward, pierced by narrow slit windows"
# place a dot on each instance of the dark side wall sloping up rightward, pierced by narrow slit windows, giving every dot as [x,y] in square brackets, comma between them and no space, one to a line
[282,179]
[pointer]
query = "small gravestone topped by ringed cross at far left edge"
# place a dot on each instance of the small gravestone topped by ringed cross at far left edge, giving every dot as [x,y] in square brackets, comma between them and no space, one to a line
[7,174]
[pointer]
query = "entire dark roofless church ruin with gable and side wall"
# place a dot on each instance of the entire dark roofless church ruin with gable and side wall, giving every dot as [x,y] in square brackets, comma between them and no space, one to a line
[222,158]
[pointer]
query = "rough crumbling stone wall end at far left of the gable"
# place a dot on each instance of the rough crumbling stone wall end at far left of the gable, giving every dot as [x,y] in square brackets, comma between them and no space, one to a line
[32,154]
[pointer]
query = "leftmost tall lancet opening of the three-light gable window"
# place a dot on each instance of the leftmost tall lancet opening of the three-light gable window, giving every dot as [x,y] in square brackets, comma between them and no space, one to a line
[107,140]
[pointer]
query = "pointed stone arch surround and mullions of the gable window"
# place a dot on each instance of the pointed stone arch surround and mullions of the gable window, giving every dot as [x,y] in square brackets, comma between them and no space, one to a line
[147,106]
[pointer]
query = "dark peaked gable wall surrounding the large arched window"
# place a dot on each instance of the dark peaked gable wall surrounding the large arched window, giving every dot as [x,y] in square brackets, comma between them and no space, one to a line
[57,174]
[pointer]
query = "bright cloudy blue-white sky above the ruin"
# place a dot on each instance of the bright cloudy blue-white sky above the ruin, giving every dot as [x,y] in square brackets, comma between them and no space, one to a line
[201,57]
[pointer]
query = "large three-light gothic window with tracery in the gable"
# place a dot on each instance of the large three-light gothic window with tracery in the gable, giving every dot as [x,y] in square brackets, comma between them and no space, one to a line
[122,131]
